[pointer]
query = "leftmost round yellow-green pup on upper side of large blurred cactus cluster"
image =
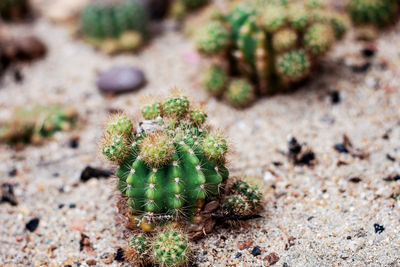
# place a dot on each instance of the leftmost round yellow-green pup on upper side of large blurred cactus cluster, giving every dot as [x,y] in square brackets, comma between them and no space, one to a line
[212,39]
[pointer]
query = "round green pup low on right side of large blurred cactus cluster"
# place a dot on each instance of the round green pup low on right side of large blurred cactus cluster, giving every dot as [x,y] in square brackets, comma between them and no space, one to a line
[293,65]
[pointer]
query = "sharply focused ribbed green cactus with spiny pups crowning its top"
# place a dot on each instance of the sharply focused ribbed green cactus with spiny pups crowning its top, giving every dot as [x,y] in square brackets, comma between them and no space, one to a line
[170,163]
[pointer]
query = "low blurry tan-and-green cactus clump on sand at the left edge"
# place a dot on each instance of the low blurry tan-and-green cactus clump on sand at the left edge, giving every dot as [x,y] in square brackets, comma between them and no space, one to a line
[33,125]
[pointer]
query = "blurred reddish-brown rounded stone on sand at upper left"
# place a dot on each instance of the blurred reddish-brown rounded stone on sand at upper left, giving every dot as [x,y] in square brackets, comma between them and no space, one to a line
[30,47]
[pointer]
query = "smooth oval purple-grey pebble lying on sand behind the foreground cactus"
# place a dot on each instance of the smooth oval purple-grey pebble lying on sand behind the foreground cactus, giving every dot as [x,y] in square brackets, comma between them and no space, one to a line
[121,80]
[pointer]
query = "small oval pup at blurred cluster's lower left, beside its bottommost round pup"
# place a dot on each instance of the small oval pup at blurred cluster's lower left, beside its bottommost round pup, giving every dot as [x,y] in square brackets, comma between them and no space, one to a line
[215,79]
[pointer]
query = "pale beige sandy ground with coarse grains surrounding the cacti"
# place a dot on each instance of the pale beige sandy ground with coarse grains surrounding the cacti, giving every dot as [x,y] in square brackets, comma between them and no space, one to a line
[314,216]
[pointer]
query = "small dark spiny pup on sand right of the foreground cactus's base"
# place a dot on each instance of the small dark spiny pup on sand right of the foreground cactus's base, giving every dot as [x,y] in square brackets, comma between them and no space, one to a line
[243,200]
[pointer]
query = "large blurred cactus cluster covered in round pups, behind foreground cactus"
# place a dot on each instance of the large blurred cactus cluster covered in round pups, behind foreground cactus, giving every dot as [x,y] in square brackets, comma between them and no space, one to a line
[261,47]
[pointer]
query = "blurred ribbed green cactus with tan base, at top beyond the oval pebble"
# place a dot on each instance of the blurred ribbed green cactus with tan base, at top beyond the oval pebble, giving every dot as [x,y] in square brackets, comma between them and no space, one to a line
[115,25]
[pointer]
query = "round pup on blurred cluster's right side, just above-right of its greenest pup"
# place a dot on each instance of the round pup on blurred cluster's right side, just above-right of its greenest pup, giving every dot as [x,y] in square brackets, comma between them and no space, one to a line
[319,38]
